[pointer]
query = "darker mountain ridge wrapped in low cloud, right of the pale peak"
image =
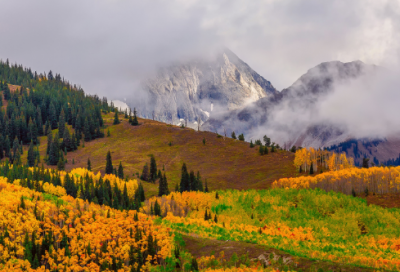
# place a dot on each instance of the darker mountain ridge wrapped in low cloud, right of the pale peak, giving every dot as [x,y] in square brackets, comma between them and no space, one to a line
[288,115]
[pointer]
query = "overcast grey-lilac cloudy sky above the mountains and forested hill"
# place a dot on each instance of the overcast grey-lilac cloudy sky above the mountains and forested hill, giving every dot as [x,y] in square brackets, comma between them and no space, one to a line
[107,46]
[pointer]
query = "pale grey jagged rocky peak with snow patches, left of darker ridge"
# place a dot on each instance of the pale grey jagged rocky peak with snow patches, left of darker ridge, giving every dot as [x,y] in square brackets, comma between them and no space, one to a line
[196,90]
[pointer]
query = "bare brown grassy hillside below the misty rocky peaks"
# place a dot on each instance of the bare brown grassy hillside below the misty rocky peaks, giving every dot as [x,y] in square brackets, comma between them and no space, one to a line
[225,163]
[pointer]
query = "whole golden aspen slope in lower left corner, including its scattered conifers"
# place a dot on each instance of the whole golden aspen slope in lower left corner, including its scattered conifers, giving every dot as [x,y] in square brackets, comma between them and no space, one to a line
[70,234]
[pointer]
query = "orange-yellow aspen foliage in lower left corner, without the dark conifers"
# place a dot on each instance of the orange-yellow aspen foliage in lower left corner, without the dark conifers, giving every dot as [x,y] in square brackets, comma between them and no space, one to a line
[75,219]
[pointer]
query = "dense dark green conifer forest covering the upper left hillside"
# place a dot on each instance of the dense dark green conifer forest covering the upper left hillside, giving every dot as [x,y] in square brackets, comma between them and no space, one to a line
[45,102]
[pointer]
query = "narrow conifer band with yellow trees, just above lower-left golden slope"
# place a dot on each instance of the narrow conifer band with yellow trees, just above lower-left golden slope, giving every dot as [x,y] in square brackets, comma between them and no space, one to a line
[101,192]
